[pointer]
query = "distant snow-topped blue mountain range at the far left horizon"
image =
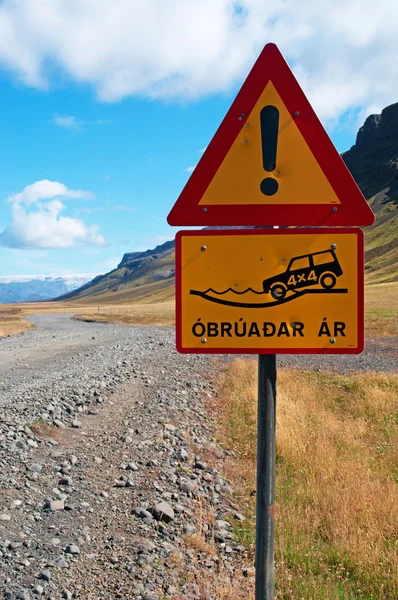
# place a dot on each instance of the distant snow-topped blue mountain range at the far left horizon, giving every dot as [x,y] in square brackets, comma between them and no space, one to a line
[39,287]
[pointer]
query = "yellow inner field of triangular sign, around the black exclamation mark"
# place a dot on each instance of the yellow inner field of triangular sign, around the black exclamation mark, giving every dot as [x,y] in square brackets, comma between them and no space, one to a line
[300,178]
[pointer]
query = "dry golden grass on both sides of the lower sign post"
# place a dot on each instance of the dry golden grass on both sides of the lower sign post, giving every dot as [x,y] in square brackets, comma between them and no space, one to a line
[337,474]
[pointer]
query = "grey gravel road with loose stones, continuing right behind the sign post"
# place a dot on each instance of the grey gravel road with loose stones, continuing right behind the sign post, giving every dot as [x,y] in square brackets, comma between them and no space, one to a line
[101,496]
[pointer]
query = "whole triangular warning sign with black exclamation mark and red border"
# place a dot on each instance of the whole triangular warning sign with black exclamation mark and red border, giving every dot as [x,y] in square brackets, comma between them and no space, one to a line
[271,162]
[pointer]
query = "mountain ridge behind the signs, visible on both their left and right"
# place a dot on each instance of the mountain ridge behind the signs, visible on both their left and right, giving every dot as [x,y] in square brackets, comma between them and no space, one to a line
[373,161]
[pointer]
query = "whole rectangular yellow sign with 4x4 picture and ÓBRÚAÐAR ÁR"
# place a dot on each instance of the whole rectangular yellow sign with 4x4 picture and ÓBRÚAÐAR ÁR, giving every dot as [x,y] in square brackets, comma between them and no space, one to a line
[269,291]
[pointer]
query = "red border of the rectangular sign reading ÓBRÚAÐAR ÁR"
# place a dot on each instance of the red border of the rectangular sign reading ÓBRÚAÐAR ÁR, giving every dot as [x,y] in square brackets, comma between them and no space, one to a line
[332,350]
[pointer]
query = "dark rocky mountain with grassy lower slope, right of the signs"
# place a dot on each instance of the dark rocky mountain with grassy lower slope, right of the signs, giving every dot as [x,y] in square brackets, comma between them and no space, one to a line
[373,161]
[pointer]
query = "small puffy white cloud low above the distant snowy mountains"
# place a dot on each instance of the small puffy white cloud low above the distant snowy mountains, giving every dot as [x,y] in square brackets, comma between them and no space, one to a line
[38,224]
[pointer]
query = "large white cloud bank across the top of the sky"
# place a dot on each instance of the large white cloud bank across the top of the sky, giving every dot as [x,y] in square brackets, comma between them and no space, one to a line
[343,51]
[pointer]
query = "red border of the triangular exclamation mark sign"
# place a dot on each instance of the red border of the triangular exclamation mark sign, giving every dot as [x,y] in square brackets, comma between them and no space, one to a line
[353,210]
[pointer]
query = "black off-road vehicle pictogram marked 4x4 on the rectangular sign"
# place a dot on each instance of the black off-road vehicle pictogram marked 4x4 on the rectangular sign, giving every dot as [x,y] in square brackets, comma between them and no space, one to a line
[303,271]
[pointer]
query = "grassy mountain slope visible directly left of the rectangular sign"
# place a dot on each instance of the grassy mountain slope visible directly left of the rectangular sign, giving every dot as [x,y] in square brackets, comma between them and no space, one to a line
[139,277]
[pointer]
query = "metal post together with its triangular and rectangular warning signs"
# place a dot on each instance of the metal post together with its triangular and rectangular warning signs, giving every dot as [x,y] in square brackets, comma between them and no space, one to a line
[252,292]
